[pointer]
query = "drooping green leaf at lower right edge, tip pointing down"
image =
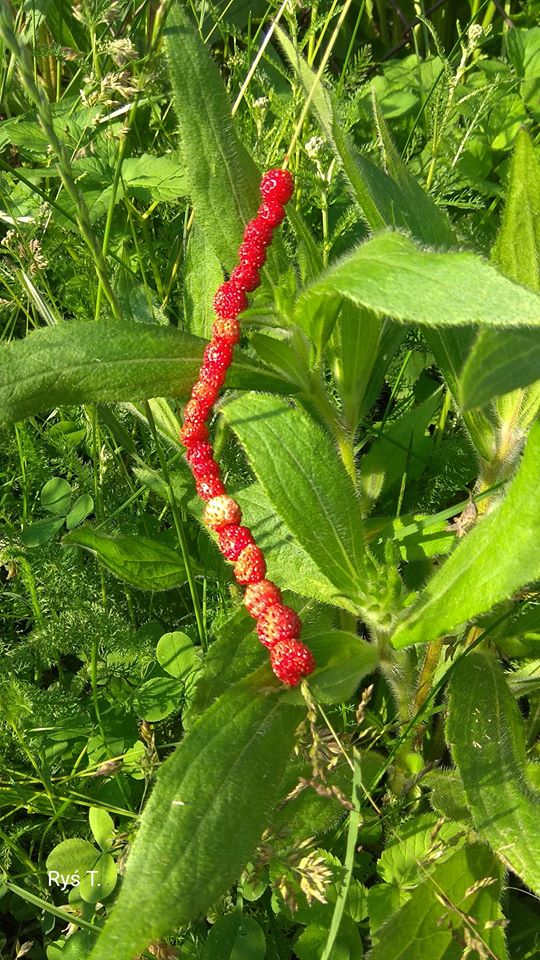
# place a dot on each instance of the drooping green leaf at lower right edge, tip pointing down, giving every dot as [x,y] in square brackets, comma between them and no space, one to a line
[486,733]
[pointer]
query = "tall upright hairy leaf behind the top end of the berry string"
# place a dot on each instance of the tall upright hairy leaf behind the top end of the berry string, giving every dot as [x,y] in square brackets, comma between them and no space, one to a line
[222,178]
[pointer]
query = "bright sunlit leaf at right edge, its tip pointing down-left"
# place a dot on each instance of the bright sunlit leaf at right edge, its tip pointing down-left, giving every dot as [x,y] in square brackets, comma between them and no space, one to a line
[500,555]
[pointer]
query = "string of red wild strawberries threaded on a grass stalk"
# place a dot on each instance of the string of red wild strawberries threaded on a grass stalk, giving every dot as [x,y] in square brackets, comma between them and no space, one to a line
[278,626]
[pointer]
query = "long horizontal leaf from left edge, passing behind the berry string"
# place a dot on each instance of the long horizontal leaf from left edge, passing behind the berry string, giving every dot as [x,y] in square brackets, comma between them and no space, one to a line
[78,362]
